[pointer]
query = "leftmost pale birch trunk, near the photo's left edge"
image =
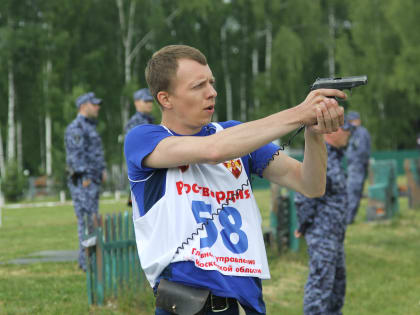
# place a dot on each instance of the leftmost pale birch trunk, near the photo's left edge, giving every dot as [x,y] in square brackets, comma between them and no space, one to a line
[11,117]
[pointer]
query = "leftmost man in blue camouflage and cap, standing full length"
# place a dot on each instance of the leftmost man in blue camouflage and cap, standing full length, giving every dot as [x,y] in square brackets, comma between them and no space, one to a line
[85,164]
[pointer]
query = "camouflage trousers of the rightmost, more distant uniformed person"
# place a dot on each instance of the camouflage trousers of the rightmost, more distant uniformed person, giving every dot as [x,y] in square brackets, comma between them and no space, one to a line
[355,181]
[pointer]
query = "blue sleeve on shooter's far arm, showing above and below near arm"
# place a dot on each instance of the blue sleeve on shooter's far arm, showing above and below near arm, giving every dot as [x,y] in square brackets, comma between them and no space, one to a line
[260,157]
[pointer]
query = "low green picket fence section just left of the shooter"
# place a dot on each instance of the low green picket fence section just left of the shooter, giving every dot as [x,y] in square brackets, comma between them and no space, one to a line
[112,260]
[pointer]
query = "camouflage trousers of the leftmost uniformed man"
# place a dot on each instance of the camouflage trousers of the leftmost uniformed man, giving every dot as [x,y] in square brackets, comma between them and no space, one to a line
[85,201]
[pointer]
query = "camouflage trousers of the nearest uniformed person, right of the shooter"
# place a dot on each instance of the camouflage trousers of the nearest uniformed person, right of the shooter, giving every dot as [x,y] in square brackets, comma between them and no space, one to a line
[326,286]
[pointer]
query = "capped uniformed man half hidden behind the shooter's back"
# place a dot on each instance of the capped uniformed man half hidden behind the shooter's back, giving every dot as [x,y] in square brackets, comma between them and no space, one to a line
[143,102]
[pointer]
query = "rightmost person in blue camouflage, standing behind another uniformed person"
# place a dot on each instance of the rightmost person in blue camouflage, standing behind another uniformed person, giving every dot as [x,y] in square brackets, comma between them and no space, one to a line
[357,154]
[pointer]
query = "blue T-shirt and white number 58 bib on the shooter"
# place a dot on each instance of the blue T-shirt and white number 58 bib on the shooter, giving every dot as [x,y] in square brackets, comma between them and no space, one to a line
[199,224]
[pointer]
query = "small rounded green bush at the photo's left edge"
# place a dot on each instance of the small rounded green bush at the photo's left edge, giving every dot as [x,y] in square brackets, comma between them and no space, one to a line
[14,183]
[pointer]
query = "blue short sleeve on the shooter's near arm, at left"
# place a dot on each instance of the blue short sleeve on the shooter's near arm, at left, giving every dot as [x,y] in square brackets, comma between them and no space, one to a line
[140,142]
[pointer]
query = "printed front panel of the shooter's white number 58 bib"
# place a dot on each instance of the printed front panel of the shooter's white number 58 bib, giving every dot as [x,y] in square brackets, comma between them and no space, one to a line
[227,235]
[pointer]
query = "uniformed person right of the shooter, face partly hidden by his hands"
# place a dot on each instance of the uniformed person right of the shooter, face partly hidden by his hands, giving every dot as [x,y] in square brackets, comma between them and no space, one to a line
[322,221]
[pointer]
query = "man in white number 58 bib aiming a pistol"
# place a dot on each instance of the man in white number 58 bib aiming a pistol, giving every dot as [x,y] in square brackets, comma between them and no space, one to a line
[195,216]
